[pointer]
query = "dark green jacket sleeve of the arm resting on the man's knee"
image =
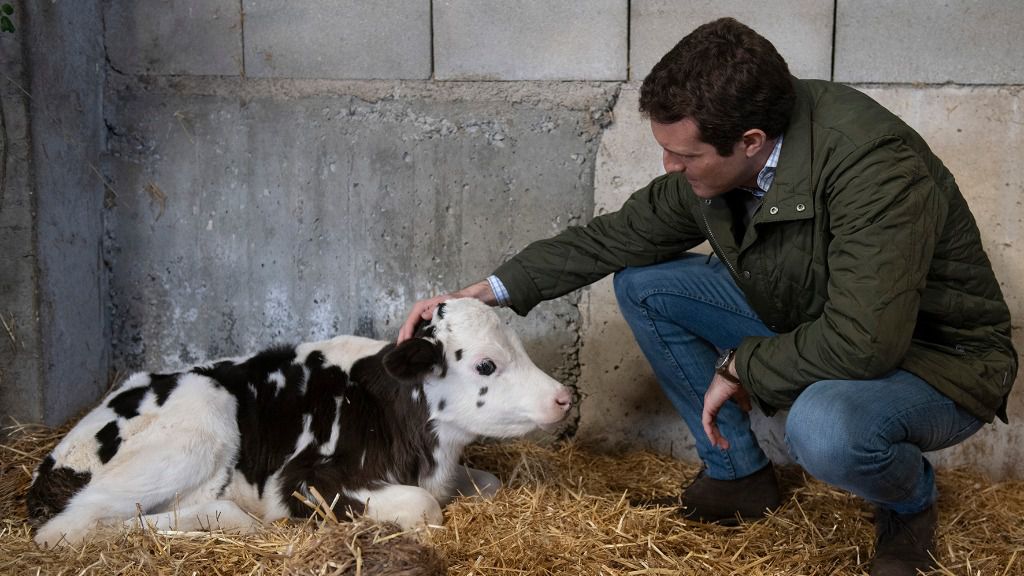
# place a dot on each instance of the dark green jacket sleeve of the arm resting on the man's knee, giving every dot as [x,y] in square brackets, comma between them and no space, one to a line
[885,216]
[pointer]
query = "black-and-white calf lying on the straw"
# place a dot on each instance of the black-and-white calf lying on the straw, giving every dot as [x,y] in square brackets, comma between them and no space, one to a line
[378,427]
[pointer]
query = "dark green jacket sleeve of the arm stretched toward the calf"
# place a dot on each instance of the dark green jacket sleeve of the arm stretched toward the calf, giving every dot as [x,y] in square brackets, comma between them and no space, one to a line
[655,225]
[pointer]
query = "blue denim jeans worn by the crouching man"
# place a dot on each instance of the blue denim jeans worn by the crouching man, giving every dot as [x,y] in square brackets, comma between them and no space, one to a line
[867,437]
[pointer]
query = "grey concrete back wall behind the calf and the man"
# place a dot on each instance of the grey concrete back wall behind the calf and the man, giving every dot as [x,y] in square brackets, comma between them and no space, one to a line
[284,170]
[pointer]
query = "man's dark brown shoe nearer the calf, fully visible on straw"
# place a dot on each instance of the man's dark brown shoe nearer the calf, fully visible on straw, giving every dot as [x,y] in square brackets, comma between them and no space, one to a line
[727,502]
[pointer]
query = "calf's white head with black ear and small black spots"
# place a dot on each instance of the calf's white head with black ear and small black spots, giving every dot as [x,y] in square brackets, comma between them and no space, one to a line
[481,380]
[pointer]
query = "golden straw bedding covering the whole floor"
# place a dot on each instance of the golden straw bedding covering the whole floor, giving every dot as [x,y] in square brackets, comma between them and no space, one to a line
[565,511]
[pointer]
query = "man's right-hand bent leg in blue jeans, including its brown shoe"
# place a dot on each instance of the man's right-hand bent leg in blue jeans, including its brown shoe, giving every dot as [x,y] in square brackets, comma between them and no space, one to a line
[869,437]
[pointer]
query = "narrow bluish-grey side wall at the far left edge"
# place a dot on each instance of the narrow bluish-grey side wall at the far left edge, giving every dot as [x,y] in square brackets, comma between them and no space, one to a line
[53,294]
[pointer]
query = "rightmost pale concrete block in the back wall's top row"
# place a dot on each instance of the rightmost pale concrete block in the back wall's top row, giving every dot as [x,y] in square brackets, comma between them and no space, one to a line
[962,42]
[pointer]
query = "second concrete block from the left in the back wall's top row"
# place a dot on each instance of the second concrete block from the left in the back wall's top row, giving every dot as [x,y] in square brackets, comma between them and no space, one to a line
[383,39]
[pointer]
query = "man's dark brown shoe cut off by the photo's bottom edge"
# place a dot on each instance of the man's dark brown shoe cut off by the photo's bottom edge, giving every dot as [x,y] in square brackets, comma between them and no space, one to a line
[904,544]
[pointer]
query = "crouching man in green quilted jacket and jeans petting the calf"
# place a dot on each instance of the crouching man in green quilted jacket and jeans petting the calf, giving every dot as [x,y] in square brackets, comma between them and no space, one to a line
[850,287]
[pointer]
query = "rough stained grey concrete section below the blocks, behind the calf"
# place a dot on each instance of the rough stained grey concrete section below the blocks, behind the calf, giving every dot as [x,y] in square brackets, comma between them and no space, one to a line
[294,219]
